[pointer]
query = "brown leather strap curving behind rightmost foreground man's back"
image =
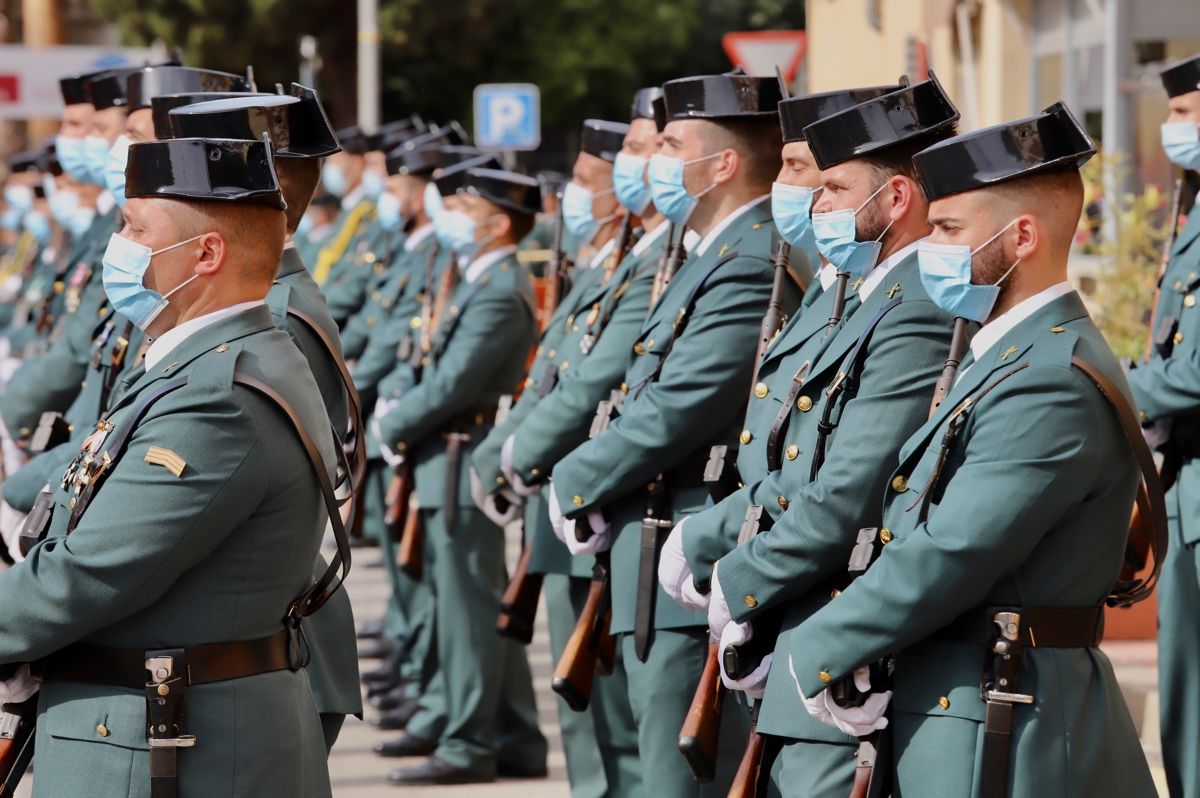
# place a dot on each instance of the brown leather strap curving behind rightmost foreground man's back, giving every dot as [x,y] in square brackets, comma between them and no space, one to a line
[1149,502]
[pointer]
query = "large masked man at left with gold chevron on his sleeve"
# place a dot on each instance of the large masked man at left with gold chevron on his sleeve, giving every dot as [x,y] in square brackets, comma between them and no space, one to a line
[218,443]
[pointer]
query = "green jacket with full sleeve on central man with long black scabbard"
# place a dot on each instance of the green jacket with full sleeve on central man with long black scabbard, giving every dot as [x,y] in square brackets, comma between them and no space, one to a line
[677,406]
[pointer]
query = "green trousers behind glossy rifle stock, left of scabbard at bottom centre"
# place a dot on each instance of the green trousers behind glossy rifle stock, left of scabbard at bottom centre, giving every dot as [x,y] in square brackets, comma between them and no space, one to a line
[601,742]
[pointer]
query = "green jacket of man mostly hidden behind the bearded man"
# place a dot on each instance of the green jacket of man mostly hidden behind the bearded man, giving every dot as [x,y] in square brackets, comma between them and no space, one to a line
[711,535]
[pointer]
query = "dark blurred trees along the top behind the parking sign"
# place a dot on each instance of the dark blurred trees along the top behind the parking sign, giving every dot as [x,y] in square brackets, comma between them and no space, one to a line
[589,57]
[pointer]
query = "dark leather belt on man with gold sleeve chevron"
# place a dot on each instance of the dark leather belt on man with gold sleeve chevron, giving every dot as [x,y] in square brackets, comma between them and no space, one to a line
[125,668]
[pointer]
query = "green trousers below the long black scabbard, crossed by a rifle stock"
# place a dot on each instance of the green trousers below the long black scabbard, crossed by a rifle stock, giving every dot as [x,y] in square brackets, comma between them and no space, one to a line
[661,692]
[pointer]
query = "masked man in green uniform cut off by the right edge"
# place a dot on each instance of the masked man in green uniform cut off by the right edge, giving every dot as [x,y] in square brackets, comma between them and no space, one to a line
[1163,388]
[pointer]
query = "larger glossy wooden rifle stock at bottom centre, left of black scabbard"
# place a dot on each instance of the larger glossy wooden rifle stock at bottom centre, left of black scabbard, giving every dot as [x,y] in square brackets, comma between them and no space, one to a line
[592,649]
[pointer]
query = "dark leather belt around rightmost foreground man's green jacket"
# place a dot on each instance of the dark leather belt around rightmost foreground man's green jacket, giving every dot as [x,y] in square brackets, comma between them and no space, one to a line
[1040,627]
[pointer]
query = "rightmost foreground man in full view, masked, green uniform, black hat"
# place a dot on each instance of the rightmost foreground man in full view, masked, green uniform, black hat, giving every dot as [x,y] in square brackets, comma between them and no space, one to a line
[1006,519]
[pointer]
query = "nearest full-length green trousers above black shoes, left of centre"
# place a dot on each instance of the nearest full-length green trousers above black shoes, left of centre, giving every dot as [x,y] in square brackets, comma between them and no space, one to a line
[491,712]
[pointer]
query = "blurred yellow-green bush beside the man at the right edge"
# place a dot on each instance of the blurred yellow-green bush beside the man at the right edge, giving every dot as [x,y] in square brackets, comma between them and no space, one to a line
[1126,290]
